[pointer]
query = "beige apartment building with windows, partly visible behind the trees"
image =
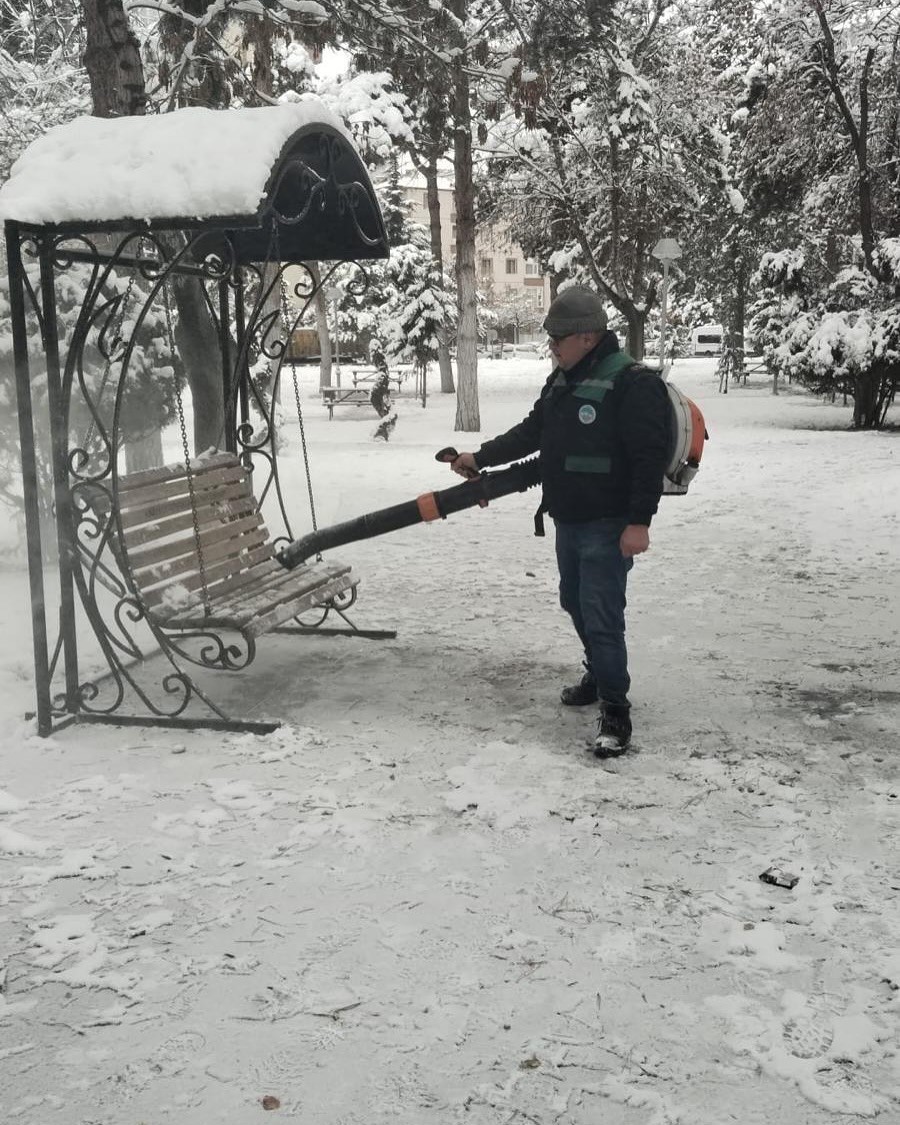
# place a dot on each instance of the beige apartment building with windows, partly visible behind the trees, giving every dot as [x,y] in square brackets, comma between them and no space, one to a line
[515,290]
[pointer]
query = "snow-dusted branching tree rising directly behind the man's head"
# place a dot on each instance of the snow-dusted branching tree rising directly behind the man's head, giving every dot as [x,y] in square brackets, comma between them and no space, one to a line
[589,165]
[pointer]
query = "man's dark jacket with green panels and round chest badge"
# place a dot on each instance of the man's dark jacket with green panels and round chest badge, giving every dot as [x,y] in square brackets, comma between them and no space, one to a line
[604,433]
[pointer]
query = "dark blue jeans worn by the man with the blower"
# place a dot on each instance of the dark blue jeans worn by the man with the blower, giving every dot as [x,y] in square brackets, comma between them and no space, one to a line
[593,575]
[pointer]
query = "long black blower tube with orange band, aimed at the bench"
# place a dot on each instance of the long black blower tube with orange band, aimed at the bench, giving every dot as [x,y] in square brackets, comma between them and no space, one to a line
[436,506]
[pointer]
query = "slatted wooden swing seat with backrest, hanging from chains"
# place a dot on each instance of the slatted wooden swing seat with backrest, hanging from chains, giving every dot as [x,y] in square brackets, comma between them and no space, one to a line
[193,539]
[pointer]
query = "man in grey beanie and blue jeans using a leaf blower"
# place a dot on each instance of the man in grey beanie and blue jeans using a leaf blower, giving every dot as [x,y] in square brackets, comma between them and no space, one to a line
[602,428]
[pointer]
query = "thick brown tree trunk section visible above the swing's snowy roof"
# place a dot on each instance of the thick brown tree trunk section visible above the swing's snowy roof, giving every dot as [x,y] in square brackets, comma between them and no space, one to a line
[113,61]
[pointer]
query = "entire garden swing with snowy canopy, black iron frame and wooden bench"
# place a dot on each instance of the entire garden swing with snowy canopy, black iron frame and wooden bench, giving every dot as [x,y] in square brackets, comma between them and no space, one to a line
[152,570]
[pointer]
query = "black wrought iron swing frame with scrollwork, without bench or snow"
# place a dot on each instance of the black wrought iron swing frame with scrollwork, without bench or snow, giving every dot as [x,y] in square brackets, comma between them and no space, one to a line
[319,206]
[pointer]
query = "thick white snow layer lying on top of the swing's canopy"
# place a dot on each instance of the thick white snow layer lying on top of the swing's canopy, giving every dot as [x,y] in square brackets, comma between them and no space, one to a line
[192,164]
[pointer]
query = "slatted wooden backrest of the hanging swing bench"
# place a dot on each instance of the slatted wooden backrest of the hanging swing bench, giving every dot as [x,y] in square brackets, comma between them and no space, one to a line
[160,538]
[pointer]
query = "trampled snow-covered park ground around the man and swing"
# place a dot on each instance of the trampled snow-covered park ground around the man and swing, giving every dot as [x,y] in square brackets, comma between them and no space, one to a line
[422,901]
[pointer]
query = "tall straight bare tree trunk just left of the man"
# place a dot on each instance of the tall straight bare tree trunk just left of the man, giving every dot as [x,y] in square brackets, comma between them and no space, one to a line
[467,356]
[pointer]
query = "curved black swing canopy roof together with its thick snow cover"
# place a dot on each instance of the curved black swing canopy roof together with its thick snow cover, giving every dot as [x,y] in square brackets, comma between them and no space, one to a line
[233,170]
